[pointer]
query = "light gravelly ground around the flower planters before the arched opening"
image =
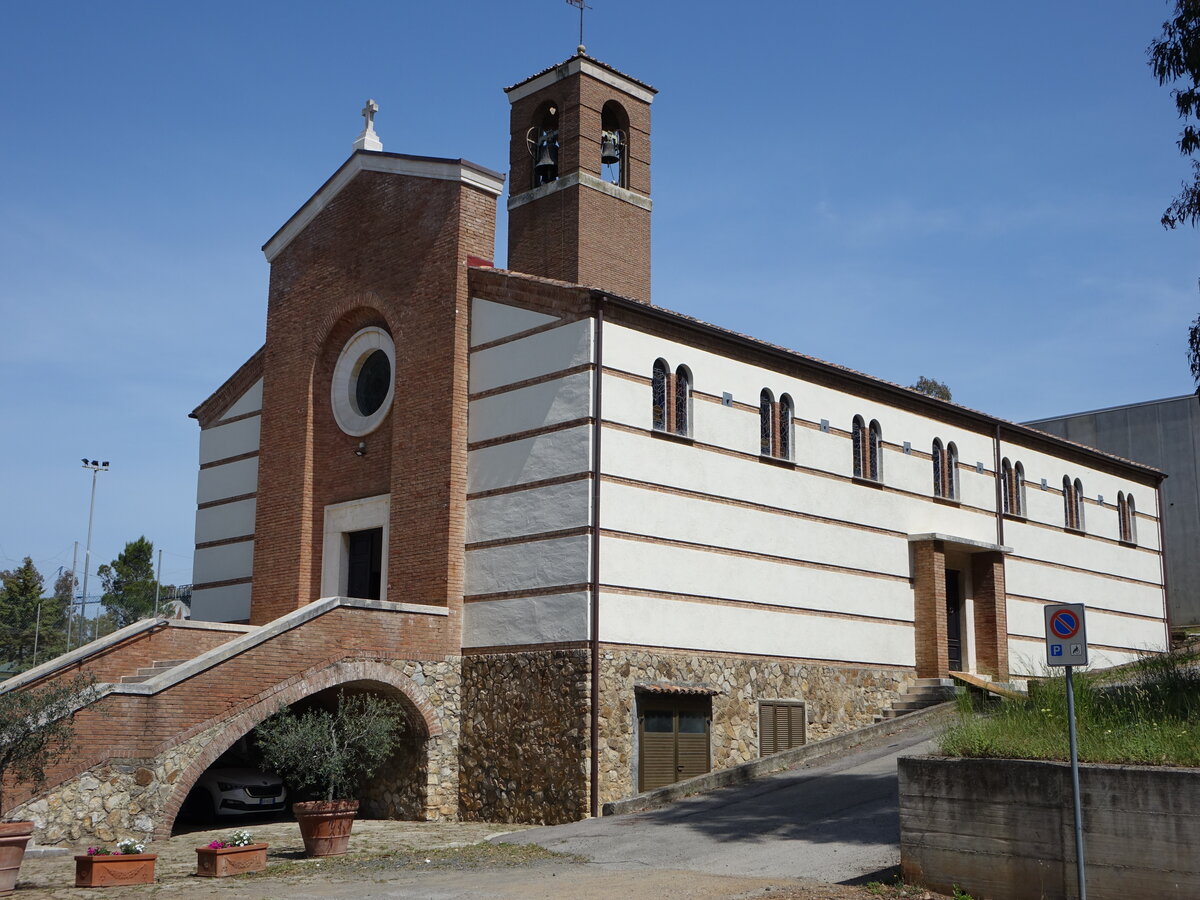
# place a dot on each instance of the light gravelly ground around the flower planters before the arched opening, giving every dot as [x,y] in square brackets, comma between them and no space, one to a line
[437,861]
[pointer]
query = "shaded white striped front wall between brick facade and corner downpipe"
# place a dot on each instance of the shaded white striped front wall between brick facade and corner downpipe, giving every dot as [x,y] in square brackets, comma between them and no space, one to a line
[512,520]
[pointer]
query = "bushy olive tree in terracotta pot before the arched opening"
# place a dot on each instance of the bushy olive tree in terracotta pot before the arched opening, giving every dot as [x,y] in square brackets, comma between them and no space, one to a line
[331,753]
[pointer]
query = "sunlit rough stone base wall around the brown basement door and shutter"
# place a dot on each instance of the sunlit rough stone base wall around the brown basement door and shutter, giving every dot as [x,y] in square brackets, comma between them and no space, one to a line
[839,700]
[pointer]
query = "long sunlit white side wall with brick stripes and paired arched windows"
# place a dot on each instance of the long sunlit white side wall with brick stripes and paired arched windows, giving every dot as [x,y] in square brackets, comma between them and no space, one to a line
[755,536]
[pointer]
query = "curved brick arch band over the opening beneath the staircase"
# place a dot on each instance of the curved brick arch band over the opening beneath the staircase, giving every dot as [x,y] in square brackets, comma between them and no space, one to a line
[287,693]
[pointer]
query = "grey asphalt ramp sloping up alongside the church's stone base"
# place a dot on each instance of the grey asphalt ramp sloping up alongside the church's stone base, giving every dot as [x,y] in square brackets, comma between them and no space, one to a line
[836,821]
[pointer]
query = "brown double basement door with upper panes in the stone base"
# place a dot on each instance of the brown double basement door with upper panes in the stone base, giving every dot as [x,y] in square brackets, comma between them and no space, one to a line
[673,739]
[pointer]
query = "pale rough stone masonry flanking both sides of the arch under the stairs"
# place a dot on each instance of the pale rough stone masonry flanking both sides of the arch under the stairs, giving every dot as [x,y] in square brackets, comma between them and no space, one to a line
[131,799]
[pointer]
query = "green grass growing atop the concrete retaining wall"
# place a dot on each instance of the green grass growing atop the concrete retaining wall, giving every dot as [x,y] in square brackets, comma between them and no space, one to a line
[1147,713]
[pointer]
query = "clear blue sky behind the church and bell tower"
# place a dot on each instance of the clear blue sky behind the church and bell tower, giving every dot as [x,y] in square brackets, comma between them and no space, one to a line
[961,190]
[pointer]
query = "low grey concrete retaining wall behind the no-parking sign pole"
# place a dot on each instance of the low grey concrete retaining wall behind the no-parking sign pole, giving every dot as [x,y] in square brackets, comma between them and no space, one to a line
[1004,829]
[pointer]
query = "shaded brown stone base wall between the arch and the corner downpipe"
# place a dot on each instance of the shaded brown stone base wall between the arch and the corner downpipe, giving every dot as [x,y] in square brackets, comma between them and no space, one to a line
[525,747]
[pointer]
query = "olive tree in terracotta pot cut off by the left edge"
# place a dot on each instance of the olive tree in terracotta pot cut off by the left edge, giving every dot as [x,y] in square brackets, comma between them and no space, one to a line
[37,731]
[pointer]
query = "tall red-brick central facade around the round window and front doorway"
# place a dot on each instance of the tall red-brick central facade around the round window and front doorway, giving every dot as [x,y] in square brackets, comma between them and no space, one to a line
[388,251]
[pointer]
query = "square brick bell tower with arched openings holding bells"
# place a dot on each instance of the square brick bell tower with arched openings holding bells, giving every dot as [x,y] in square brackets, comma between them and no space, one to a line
[580,185]
